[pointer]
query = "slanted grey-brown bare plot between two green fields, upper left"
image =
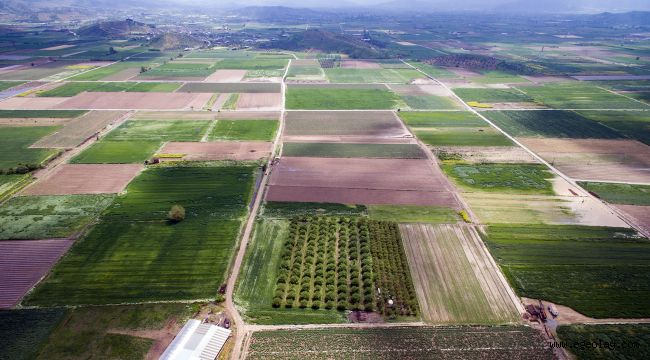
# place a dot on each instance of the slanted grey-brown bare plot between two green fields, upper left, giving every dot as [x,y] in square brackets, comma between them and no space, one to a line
[80,129]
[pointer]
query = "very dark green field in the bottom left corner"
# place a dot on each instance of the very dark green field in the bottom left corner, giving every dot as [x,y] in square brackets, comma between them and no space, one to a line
[24,332]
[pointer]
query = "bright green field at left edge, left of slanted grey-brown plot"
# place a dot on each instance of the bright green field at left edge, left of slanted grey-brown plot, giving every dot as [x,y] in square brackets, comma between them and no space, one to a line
[15,142]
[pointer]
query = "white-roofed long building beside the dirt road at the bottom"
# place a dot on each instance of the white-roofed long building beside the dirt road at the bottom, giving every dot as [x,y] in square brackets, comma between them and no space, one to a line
[197,341]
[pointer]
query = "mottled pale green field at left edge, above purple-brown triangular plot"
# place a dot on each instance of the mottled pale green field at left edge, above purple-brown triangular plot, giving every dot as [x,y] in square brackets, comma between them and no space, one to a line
[43,217]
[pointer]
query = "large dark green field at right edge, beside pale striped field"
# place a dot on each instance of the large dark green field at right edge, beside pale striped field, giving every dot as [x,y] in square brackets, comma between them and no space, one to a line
[601,272]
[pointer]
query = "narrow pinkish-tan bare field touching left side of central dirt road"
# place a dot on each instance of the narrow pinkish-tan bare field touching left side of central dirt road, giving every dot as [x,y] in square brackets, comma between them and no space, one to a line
[220,150]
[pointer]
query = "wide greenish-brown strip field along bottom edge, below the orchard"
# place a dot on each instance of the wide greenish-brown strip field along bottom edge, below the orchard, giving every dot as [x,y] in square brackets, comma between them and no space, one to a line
[499,343]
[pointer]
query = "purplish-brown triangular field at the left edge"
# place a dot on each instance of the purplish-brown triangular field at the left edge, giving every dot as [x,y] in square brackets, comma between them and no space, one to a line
[23,263]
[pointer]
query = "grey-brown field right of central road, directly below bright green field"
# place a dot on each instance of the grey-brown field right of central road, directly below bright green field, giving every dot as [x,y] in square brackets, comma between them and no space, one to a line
[344,123]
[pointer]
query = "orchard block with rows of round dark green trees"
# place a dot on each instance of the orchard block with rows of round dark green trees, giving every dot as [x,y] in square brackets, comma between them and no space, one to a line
[334,262]
